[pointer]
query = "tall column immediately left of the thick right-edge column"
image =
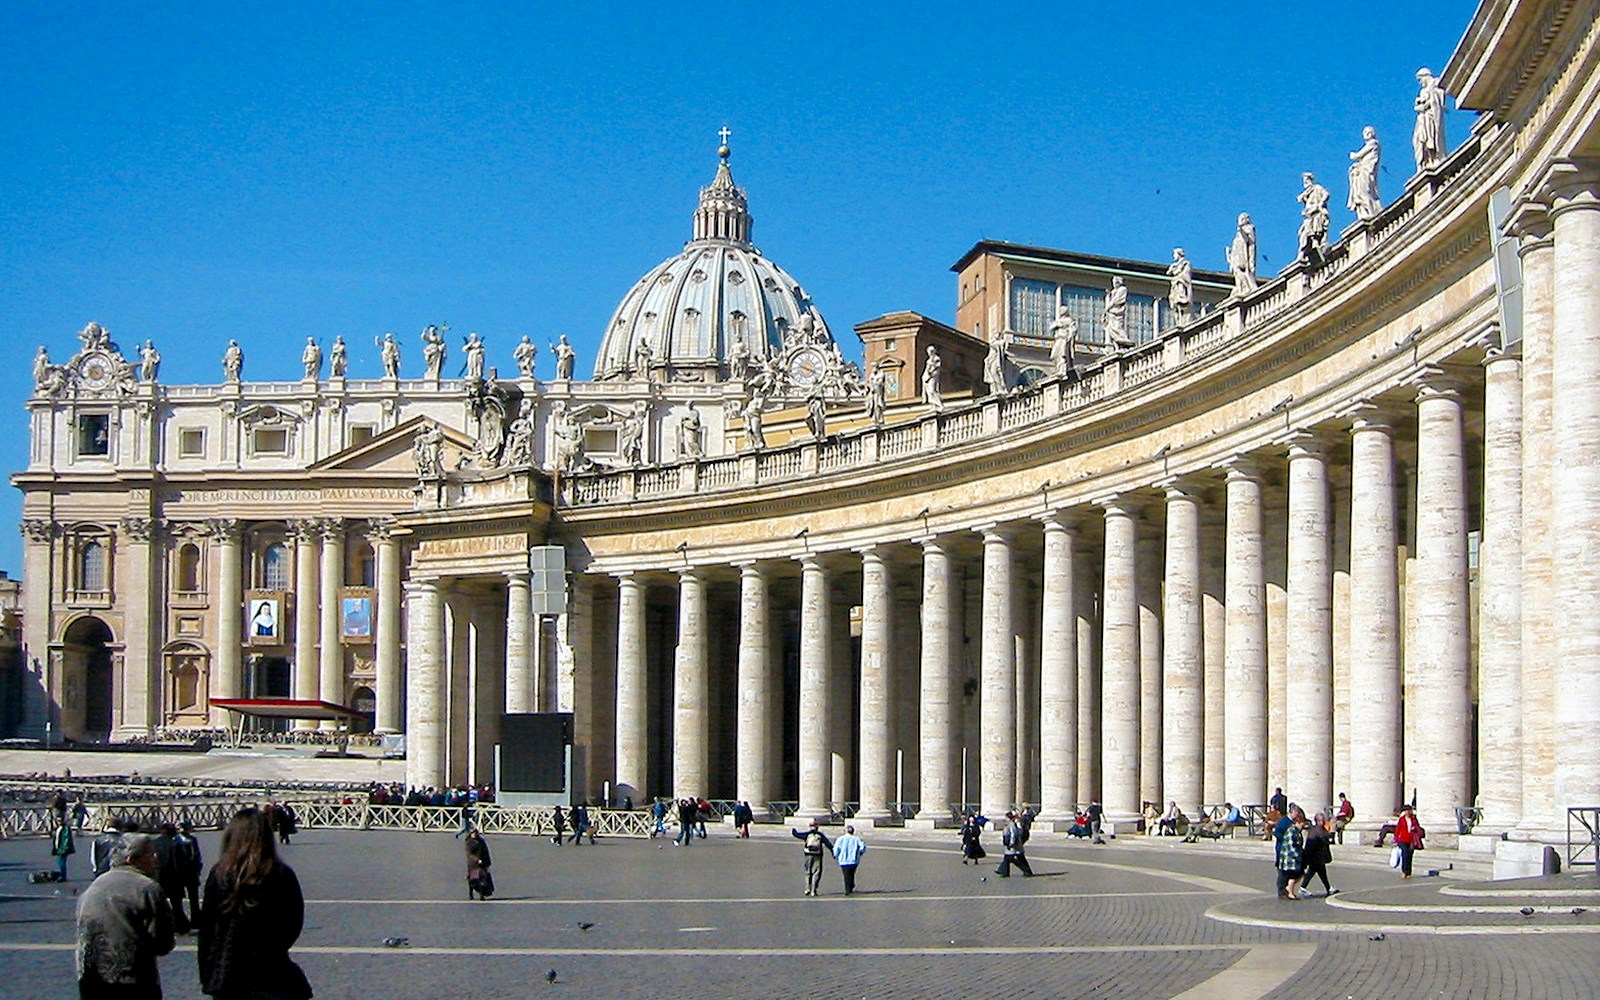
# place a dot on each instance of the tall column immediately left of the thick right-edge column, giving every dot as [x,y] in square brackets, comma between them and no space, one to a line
[1538,546]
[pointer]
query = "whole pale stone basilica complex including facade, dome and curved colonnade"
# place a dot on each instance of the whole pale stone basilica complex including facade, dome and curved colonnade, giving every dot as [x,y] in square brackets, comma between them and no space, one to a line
[1332,530]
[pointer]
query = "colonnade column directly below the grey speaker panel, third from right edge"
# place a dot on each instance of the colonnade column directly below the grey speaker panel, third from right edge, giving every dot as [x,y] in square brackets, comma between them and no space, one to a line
[1500,596]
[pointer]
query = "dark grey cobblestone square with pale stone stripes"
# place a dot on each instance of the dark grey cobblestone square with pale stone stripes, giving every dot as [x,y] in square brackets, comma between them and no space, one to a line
[1135,919]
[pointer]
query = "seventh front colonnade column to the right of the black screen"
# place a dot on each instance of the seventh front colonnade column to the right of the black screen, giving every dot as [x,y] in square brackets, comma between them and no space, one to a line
[998,759]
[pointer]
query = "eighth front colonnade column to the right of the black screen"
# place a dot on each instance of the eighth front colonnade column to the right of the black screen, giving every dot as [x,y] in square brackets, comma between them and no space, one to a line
[1058,674]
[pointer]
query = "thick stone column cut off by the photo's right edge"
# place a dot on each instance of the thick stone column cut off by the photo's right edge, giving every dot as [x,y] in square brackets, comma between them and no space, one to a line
[1575,417]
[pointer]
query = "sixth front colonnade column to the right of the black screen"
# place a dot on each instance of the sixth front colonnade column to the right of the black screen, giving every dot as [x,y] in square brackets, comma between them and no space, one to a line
[938,670]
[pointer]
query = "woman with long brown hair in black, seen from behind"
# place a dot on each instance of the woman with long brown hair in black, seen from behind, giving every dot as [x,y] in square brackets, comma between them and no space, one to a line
[250,916]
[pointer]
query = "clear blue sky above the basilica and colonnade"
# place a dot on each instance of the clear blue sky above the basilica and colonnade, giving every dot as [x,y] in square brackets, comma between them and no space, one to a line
[194,174]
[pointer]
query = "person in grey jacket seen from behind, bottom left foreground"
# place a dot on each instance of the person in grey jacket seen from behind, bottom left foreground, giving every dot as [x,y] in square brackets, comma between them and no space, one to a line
[124,926]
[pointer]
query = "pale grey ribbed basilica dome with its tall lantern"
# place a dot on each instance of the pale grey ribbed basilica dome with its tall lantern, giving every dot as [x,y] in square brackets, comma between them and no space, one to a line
[686,318]
